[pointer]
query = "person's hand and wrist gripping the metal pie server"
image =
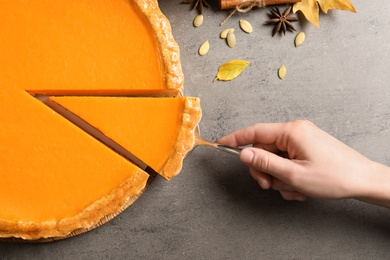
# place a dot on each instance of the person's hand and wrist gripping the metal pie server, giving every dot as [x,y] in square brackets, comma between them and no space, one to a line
[298,159]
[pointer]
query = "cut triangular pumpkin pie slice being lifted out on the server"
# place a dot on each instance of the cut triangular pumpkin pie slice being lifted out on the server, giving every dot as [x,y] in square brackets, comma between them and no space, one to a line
[158,130]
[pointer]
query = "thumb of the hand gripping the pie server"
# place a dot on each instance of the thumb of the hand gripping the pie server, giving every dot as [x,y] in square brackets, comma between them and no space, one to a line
[267,162]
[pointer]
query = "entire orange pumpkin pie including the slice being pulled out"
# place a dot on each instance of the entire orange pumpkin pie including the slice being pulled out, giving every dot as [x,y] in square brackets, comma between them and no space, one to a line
[114,64]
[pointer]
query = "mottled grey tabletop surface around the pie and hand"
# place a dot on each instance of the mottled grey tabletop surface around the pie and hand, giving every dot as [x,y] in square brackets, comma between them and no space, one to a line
[339,79]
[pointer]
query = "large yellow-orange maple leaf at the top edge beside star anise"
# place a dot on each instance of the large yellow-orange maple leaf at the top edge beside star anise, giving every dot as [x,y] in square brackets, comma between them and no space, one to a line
[310,8]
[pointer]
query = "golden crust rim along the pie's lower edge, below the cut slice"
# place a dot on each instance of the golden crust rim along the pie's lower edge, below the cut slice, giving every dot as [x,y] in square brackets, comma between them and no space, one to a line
[95,215]
